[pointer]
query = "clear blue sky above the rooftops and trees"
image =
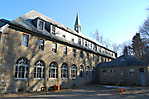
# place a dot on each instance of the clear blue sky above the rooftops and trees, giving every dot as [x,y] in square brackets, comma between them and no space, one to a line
[116,20]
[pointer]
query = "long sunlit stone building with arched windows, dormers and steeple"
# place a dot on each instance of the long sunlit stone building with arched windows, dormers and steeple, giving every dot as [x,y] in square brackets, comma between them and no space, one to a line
[37,52]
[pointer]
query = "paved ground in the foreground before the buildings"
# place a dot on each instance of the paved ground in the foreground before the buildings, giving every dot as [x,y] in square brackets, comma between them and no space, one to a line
[89,93]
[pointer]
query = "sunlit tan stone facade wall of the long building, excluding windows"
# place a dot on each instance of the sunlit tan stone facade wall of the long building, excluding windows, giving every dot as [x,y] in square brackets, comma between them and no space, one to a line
[13,50]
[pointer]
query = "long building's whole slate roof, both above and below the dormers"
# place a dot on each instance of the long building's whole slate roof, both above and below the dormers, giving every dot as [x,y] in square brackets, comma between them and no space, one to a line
[25,22]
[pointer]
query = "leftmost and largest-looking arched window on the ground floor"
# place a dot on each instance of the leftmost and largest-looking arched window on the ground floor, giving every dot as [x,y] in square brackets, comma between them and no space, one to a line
[21,68]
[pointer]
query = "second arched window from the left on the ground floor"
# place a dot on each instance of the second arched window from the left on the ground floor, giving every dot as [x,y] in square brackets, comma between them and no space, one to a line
[39,69]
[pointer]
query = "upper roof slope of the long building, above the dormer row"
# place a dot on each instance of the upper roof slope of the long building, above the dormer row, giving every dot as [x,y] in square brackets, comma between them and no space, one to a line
[26,18]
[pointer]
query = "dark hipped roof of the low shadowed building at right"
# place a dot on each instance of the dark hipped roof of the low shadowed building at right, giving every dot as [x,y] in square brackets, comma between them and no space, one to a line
[123,61]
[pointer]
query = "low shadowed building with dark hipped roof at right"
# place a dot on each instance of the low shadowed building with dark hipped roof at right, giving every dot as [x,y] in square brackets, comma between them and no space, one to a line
[125,70]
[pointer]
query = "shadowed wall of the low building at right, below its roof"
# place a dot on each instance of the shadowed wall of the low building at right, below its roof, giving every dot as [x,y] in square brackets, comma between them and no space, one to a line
[122,75]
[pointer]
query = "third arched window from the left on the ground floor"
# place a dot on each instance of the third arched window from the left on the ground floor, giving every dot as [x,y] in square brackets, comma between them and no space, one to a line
[53,70]
